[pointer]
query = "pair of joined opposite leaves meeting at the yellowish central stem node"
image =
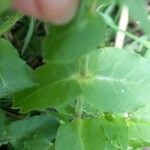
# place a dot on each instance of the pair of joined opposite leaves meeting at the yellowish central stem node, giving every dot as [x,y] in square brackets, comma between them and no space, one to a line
[110,80]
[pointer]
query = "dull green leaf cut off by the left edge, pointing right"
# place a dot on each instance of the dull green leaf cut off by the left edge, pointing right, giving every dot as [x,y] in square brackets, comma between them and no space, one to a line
[15,75]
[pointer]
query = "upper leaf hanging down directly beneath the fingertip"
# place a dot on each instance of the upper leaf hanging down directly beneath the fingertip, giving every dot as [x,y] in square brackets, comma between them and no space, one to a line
[82,35]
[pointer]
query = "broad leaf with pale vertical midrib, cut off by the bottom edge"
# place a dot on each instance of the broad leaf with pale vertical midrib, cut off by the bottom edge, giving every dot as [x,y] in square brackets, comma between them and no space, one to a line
[92,134]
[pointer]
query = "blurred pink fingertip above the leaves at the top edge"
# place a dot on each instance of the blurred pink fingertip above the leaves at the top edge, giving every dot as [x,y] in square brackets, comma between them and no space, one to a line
[56,11]
